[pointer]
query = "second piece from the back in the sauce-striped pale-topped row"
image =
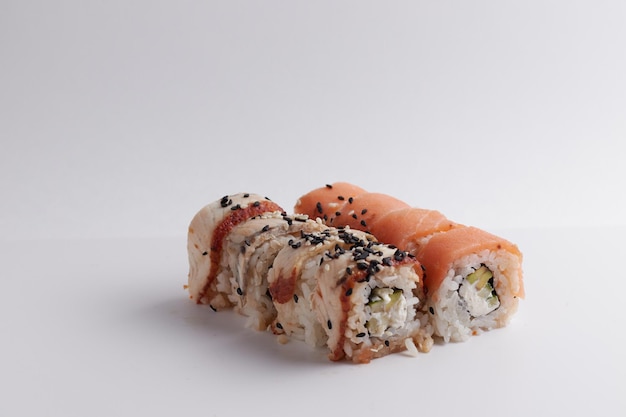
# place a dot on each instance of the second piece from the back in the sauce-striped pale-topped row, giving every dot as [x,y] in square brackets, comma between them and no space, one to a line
[250,251]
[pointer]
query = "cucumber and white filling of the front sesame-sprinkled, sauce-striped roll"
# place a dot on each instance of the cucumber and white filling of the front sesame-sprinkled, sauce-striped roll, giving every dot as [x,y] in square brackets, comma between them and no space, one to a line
[388,309]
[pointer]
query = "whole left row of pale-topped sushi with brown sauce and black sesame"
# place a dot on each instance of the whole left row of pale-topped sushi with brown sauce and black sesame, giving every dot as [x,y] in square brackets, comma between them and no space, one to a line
[300,278]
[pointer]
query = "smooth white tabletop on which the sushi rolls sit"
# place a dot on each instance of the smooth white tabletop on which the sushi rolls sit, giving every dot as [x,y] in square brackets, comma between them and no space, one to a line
[103,327]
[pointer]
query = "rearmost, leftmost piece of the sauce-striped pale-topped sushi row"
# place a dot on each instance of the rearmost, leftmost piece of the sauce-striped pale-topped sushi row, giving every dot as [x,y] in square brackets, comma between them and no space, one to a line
[209,277]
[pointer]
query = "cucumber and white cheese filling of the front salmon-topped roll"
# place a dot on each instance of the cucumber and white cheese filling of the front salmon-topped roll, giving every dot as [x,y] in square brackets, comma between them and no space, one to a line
[477,290]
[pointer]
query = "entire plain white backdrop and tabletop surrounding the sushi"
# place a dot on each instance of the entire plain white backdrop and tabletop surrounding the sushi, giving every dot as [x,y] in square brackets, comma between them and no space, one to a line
[120,119]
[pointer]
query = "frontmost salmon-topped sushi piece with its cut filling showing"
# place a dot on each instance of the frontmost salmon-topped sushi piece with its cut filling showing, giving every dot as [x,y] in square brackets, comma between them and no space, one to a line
[474,282]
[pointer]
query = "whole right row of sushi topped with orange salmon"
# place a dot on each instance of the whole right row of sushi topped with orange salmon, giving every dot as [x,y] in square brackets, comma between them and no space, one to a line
[473,279]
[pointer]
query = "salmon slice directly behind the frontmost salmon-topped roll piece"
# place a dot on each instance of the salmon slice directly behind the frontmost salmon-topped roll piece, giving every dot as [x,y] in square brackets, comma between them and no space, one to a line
[409,228]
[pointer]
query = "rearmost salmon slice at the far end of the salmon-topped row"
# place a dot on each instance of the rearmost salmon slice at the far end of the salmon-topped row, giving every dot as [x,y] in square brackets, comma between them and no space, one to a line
[324,202]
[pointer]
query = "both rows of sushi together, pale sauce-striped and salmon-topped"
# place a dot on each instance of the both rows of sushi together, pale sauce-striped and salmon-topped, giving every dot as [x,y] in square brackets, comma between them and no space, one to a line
[361,274]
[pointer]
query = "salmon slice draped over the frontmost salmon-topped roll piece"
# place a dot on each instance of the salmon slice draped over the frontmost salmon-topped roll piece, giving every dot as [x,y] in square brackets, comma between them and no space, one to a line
[444,248]
